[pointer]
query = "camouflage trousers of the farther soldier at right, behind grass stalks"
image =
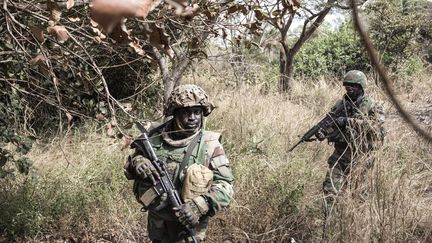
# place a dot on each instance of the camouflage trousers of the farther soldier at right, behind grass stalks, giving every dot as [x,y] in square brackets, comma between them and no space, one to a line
[341,163]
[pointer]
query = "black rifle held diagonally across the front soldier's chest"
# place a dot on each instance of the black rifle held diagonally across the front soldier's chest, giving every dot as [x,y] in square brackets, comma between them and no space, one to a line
[163,183]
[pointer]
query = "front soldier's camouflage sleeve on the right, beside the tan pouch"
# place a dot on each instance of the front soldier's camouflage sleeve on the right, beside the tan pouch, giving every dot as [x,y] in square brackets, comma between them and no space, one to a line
[221,191]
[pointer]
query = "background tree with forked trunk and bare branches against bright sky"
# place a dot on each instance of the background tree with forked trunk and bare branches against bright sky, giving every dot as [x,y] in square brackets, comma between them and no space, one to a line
[281,15]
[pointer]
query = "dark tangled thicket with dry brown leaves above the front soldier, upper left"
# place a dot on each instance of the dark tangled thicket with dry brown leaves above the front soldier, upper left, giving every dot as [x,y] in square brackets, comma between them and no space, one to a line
[62,64]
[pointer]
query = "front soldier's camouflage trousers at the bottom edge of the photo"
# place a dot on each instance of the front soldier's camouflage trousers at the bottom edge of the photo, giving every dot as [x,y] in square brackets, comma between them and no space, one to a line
[166,231]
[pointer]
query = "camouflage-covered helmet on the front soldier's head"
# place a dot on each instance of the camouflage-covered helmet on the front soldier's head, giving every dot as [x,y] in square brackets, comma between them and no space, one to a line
[188,95]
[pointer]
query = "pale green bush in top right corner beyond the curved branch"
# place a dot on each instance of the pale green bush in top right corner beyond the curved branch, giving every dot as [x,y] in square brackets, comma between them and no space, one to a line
[401,31]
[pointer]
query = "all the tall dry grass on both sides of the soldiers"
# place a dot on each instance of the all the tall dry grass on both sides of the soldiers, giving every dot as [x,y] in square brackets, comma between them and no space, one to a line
[78,190]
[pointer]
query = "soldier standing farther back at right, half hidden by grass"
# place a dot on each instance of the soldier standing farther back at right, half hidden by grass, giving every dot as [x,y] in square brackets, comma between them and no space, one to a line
[359,131]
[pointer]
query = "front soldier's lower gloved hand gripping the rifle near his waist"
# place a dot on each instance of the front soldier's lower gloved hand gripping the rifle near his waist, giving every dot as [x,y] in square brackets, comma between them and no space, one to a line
[190,212]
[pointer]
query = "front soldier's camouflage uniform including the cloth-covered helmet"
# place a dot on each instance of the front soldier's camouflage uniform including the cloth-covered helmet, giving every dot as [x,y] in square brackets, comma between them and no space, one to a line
[163,225]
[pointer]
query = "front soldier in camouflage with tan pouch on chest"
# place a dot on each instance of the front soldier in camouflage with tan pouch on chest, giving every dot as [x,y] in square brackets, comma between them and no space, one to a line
[196,163]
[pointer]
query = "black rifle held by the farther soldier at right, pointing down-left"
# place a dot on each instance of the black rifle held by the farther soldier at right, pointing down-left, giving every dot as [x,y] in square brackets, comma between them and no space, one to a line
[328,124]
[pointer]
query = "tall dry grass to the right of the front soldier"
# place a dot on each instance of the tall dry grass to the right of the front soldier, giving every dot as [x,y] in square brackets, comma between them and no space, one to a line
[278,195]
